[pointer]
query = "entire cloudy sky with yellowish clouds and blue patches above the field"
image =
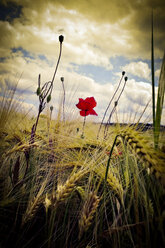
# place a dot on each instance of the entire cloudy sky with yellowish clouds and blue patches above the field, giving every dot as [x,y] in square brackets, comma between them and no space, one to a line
[101,39]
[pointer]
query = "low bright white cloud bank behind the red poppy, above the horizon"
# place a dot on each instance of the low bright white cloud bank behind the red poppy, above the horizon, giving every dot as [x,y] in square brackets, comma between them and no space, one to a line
[132,102]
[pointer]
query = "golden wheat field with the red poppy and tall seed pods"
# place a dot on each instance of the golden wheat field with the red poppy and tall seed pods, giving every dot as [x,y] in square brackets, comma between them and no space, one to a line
[77,184]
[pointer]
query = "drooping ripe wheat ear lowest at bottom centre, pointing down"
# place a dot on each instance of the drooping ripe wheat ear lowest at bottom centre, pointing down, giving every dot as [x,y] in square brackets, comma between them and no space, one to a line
[88,211]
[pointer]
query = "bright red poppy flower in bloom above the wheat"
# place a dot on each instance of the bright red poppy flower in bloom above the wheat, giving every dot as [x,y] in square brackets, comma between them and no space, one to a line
[87,106]
